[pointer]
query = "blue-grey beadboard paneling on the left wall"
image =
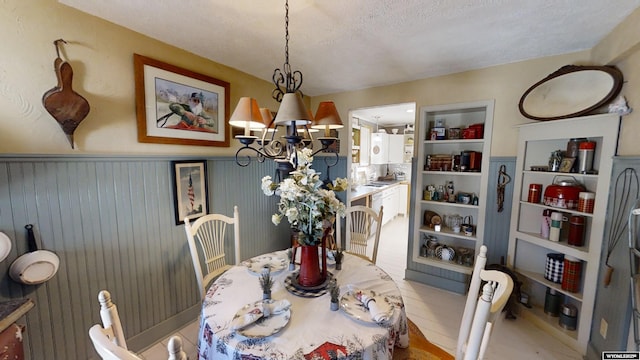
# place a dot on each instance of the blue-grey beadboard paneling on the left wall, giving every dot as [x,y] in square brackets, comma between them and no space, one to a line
[111,221]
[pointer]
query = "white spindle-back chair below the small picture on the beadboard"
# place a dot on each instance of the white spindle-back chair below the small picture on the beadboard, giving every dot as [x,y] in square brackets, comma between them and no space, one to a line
[209,231]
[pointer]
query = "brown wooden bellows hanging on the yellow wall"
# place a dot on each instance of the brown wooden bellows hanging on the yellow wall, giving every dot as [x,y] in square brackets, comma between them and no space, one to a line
[65,105]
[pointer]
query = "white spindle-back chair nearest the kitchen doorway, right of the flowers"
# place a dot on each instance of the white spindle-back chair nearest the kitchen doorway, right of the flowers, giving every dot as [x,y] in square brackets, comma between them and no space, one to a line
[363,226]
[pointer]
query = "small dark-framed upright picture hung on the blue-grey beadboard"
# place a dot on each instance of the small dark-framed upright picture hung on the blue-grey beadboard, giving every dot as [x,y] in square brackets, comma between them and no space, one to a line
[189,189]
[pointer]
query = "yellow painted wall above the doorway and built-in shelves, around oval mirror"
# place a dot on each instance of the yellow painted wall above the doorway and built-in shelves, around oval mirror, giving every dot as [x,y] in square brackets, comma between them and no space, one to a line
[507,83]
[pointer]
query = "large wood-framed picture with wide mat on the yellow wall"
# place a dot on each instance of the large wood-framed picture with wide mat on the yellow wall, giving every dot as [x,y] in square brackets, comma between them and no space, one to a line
[179,106]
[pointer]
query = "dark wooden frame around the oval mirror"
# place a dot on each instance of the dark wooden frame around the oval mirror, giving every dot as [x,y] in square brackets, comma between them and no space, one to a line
[615,74]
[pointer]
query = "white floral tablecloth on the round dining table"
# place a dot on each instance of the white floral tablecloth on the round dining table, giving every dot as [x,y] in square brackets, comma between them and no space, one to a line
[313,331]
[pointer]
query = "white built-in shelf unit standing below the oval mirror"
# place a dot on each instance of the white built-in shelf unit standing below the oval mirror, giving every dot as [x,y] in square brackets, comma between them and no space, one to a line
[528,245]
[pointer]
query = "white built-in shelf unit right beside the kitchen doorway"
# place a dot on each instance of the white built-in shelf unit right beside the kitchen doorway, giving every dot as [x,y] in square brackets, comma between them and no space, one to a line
[474,154]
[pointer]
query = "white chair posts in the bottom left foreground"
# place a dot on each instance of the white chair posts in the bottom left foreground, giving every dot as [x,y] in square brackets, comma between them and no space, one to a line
[108,338]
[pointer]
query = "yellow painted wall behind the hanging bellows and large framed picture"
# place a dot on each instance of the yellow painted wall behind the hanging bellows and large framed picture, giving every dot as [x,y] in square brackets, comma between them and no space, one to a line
[101,55]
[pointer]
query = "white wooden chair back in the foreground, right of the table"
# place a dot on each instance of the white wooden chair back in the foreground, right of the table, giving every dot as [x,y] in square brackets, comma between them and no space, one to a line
[480,313]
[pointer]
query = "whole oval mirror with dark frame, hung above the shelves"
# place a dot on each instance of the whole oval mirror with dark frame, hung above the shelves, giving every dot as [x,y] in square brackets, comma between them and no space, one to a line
[571,91]
